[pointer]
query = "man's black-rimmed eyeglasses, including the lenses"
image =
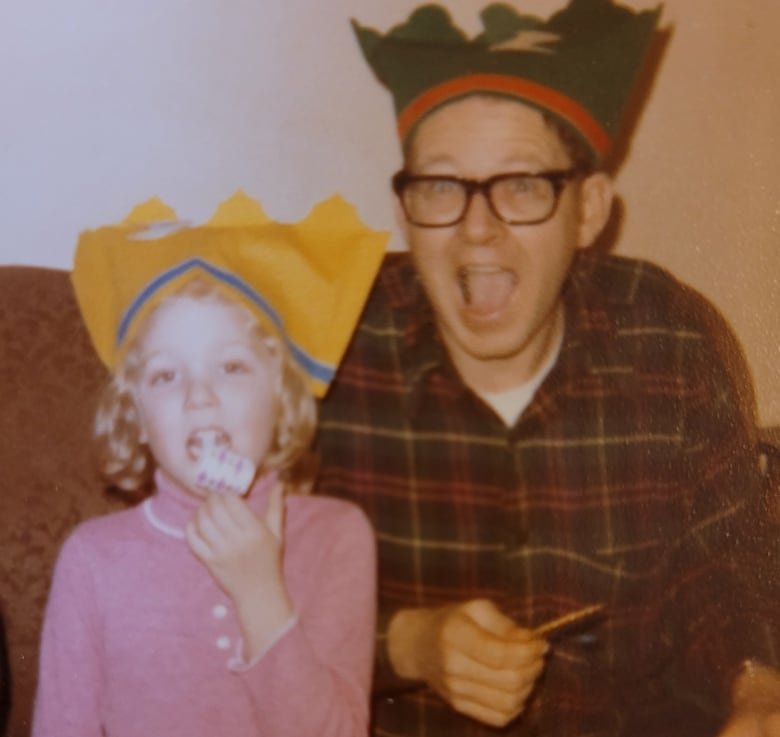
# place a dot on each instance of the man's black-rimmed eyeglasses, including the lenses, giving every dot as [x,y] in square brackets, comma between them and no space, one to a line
[515,198]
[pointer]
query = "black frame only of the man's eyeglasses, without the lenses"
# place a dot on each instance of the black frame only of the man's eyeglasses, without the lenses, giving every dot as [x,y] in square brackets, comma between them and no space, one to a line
[556,177]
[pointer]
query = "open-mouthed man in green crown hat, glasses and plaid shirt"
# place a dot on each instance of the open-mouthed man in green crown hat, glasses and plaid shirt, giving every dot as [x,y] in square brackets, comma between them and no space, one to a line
[535,428]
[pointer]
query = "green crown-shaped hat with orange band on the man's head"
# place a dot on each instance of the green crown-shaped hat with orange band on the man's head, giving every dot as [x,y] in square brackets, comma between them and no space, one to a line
[580,64]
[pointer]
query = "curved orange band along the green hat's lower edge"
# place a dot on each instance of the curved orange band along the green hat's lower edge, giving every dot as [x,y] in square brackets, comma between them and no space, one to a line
[547,98]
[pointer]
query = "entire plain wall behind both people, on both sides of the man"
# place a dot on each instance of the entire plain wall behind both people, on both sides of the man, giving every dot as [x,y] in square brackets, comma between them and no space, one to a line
[109,103]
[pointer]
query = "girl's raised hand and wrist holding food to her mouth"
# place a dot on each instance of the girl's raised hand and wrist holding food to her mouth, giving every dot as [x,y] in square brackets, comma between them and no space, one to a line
[243,553]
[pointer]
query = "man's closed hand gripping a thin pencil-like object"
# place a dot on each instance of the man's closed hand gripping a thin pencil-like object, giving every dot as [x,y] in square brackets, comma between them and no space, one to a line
[476,658]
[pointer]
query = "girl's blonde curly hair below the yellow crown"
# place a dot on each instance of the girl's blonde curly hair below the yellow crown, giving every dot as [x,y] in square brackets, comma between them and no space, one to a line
[127,463]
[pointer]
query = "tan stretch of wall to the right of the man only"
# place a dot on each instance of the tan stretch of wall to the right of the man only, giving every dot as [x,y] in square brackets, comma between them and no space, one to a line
[702,181]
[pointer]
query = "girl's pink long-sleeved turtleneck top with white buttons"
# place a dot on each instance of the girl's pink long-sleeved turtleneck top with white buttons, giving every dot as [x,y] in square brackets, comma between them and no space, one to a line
[139,640]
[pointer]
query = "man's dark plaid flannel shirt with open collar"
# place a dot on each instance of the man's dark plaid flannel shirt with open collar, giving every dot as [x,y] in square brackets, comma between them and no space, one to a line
[630,480]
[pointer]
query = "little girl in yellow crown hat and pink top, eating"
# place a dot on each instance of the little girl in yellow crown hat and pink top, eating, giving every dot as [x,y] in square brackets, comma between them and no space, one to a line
[211,608]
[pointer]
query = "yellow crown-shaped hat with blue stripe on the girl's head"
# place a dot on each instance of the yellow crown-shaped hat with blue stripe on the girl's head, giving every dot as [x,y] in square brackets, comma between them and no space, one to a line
[305,282]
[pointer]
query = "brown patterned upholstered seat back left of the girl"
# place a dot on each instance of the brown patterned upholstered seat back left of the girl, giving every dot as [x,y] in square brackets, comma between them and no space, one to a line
[49,381]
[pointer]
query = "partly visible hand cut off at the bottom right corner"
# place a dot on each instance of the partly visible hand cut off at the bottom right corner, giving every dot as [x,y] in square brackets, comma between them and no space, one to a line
[755,703]
